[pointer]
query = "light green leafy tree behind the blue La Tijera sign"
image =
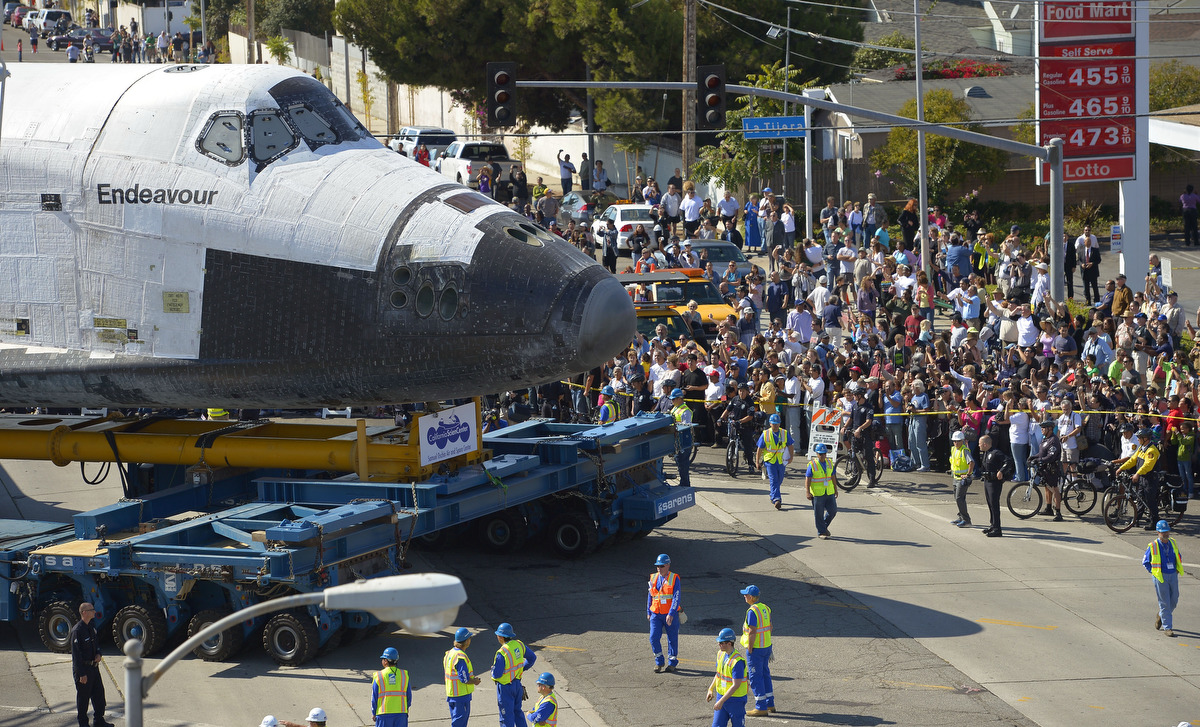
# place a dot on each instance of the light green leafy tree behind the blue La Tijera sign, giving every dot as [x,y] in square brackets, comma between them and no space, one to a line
[737,161]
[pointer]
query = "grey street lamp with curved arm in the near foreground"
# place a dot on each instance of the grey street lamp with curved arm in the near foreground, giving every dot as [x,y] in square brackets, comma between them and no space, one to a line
[423,603]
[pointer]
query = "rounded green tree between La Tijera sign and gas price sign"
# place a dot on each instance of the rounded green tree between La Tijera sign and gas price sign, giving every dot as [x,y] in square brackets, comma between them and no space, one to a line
[950,163]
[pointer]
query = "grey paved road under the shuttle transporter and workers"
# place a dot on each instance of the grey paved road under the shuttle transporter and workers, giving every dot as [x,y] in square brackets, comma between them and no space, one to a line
[901,620]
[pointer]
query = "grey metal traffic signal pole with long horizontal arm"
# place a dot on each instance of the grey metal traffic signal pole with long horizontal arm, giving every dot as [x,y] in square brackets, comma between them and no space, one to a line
[1047,154]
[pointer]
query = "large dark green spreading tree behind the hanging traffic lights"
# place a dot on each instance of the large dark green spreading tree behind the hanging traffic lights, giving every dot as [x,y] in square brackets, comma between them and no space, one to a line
[446,44]
